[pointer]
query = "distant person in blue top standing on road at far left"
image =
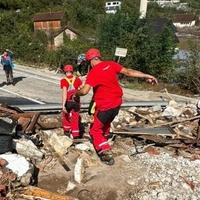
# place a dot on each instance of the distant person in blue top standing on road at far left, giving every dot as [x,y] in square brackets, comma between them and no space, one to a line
[6,61]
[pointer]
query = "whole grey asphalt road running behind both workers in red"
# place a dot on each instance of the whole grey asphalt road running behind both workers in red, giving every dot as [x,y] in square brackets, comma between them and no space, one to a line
[41,86]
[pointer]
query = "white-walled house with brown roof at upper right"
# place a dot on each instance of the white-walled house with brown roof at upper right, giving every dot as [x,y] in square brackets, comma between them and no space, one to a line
[184,20]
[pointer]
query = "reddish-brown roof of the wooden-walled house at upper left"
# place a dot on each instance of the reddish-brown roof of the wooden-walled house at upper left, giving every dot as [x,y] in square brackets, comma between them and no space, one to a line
[51,16]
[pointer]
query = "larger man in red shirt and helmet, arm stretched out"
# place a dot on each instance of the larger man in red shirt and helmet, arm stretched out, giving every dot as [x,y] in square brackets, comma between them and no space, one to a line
[107,95]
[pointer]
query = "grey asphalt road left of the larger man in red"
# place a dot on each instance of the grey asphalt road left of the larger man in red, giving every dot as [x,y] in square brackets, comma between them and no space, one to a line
[32,86]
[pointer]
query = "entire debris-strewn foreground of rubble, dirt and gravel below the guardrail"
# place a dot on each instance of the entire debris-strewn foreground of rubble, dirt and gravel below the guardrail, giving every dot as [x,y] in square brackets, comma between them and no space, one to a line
[156,149]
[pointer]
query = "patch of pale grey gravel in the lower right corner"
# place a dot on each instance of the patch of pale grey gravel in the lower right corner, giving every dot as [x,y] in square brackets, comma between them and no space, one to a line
[168,178]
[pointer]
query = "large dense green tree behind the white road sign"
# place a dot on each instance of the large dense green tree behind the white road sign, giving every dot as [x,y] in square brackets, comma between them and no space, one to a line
[148,50]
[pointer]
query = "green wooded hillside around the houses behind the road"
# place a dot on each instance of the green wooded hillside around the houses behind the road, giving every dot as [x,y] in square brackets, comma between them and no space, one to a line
[149,50]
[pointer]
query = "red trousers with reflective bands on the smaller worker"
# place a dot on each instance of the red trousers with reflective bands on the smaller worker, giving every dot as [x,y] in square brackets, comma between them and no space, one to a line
[70,122]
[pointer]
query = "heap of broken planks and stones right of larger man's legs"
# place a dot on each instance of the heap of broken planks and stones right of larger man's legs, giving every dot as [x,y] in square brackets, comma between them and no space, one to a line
[176,126]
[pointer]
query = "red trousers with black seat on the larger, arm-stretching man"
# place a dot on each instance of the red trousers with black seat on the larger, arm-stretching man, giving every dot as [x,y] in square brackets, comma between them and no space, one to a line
[100,129]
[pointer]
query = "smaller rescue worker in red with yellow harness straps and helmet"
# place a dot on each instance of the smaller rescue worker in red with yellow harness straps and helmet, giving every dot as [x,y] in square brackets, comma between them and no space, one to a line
[70,104]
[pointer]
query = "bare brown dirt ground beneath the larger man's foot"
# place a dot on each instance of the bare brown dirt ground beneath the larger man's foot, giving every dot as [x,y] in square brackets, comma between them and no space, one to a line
[100,181]
